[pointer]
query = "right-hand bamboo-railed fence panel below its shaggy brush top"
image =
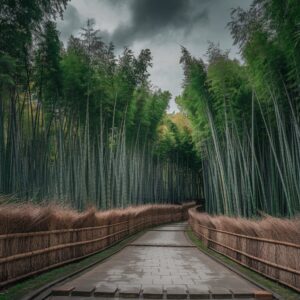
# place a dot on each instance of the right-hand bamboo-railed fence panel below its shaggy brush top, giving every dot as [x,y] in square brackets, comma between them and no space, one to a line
[278,260]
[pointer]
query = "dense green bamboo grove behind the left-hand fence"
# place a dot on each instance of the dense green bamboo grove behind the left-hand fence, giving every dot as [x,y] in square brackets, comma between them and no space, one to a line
[79,125]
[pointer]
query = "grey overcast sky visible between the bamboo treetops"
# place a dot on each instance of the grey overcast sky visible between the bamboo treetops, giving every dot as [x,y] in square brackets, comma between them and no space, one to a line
[160,25]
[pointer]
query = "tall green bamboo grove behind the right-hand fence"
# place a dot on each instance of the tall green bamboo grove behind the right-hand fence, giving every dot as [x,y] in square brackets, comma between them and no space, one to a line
[246,116]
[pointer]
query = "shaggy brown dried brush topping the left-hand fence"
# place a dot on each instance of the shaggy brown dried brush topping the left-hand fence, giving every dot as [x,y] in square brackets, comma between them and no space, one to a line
[18,218]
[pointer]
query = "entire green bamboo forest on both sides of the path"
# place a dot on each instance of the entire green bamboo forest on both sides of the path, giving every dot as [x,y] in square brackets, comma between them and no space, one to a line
[82,125]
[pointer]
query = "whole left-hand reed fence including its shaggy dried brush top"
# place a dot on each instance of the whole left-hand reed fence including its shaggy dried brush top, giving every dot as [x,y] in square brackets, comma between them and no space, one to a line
[23,254]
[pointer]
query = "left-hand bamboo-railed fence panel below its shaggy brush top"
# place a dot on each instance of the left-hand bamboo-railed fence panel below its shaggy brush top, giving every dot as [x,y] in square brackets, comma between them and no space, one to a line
[26,254]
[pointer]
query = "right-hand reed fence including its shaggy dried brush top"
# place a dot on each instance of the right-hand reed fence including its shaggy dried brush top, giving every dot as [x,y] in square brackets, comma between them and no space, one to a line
[269,246]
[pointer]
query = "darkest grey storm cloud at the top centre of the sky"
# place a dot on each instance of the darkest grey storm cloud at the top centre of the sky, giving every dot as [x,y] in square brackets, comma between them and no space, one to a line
[152,17]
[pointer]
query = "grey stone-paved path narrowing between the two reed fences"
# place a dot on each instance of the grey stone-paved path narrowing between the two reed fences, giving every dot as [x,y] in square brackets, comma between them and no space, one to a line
[161,264]
